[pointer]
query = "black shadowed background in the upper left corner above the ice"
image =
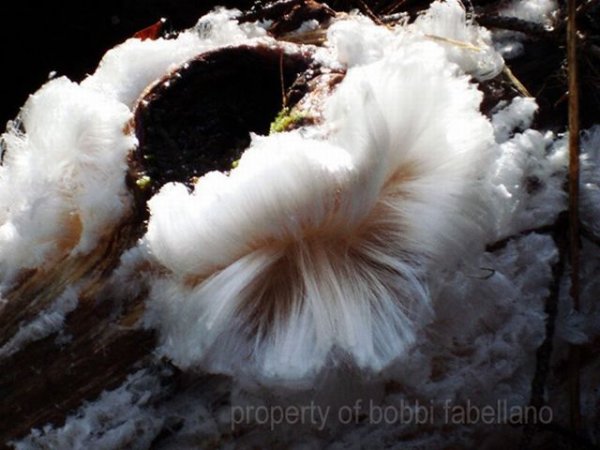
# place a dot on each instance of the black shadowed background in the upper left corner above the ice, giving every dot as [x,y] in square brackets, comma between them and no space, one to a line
[70,38]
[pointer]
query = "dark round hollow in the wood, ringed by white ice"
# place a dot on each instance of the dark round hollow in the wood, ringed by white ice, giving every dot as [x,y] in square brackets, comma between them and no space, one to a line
[199,118]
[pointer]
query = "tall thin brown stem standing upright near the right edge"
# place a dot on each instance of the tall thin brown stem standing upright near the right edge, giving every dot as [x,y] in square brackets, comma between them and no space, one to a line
[574,388]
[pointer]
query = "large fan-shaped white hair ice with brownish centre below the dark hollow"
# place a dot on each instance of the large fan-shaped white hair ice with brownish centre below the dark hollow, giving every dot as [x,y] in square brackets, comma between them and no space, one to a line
[313,251]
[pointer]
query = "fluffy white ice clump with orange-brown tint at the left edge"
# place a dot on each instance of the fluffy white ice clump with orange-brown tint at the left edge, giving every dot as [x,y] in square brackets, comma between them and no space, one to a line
[62,176]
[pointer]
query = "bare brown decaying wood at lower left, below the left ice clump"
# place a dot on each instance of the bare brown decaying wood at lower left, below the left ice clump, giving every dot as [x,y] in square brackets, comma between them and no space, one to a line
[46,379]
